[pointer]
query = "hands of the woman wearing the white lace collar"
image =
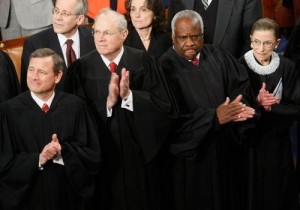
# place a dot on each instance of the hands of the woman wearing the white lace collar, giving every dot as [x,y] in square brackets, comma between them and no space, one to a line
[265,98]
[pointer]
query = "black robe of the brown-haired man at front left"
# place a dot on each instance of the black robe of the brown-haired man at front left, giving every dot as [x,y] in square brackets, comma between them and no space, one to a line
[25,130]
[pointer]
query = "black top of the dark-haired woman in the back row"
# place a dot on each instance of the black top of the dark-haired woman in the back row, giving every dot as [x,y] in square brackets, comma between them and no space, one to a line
[160,42]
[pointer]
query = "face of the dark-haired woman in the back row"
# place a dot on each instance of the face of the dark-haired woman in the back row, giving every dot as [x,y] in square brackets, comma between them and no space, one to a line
[141,16]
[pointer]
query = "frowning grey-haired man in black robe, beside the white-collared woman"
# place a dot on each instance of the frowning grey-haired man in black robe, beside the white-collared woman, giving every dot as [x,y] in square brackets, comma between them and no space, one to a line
[213,97]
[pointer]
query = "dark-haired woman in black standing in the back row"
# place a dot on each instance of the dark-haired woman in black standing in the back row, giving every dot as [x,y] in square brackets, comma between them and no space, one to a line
[147,26]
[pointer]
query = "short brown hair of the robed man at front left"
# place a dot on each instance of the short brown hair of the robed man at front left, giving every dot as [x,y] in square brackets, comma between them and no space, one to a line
[58,62]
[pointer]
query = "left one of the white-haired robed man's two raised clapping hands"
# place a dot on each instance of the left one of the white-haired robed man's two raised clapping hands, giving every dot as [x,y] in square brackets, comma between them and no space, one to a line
[113,91]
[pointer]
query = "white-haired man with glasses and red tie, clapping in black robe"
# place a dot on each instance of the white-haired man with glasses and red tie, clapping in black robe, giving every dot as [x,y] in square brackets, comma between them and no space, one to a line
[125,88]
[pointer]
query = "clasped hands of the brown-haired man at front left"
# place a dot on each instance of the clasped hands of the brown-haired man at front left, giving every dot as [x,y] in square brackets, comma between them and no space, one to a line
[50,151]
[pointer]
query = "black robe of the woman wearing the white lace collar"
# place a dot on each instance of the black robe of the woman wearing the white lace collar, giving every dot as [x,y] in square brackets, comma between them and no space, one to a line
[274,170]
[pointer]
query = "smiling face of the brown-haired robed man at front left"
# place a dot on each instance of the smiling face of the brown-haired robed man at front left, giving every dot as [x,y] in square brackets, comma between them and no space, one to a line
[41,78]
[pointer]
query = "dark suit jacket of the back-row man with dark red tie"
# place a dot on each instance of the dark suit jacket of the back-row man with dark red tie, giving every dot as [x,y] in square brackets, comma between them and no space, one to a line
[48,39]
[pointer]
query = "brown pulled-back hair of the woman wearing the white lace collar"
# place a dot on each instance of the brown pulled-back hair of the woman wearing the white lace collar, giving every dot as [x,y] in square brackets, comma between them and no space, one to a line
[266,24]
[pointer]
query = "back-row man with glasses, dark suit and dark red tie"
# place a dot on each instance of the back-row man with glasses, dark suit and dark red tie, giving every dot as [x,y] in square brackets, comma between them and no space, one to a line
[67,17]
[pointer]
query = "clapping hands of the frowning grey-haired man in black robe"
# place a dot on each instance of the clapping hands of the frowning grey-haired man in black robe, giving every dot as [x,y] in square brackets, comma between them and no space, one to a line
[234,111]
